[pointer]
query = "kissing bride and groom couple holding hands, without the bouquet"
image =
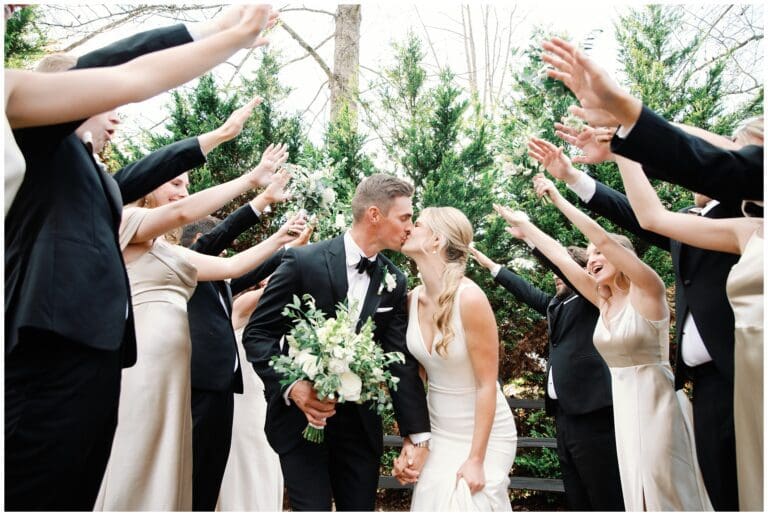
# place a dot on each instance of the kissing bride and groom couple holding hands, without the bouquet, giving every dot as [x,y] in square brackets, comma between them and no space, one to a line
[465,398]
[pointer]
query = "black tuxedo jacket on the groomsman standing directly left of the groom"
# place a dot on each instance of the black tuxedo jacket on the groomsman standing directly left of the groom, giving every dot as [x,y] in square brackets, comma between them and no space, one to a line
[214,348]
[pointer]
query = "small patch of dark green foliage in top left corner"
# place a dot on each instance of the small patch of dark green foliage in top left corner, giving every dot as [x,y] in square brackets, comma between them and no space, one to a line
[24,40]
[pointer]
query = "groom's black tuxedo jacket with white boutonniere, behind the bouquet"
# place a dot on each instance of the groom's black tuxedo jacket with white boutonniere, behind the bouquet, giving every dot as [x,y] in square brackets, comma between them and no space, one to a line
[320,270]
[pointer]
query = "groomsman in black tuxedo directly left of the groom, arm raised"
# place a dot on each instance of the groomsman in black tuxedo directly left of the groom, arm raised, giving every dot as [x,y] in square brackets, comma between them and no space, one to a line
[216,374]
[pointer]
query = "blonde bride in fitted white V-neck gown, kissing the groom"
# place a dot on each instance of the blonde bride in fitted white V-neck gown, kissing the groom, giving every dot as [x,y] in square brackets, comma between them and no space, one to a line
[452,333]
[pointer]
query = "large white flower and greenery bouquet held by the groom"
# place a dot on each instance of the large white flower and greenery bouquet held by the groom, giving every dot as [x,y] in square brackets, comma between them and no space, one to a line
[342,364]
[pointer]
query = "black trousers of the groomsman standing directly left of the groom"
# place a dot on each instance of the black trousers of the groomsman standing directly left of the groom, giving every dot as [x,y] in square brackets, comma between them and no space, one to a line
[212,413]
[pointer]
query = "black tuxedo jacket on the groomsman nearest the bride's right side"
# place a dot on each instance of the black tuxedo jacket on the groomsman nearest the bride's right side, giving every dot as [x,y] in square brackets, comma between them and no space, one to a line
[582,379]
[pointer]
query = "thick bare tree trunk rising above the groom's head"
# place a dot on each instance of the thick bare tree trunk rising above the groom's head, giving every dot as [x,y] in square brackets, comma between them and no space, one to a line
[346,61]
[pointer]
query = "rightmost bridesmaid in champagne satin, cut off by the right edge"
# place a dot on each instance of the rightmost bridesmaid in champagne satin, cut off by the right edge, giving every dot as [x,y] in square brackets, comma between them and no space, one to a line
[744,287]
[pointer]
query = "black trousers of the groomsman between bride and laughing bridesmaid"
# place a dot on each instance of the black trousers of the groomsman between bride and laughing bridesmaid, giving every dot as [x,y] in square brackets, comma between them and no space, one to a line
[586,445]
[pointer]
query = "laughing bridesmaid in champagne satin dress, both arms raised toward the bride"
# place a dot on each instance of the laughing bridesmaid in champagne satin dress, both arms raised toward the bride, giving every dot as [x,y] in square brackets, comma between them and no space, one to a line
[654,435]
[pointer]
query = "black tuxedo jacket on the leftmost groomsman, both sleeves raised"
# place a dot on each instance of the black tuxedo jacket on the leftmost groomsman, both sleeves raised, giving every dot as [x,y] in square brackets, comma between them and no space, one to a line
[64,270]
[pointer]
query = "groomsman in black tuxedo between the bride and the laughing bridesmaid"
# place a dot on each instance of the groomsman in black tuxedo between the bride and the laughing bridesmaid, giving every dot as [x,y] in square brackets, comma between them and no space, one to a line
[578,392]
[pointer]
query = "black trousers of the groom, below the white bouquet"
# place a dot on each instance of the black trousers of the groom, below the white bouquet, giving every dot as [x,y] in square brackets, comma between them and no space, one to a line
[343,469]
